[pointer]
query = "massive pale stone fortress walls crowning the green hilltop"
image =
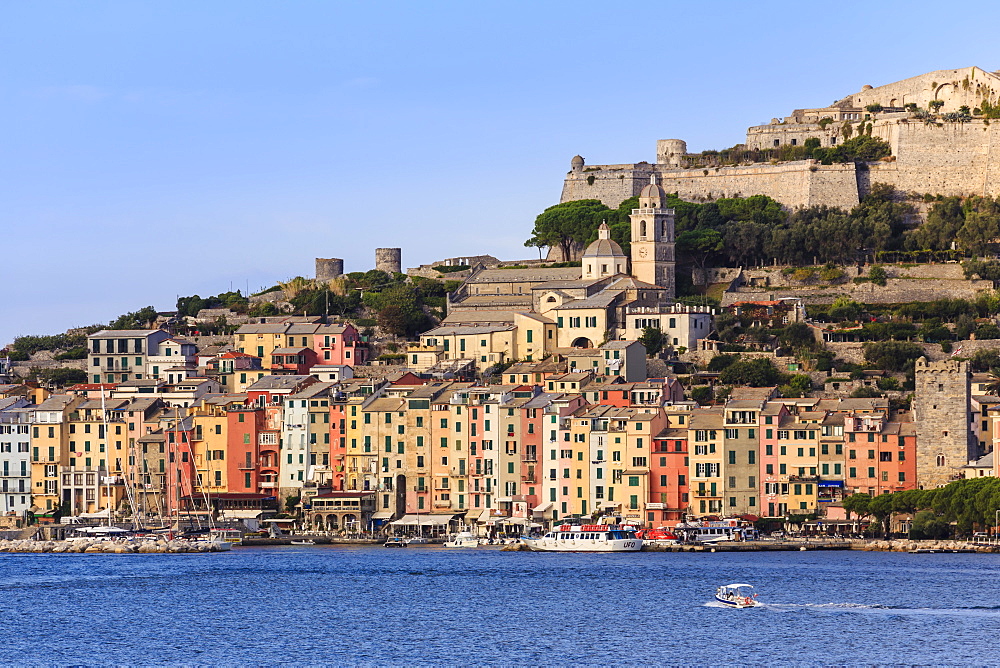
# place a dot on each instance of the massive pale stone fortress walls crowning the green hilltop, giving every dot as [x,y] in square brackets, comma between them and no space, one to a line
[937,157]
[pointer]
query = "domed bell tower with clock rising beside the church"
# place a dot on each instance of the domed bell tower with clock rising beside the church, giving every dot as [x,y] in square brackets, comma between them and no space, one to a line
[653,239]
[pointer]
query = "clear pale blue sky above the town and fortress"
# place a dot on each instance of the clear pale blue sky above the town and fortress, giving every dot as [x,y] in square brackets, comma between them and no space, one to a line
[155,150]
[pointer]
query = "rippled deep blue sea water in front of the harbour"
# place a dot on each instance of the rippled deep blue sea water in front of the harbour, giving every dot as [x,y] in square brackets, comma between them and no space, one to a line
[431,605]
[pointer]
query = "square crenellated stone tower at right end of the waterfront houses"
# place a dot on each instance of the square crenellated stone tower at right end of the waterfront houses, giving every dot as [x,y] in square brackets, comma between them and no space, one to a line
[941,416]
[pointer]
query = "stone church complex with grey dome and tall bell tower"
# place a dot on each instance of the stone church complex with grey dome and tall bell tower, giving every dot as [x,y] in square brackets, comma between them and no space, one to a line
[531,312]
